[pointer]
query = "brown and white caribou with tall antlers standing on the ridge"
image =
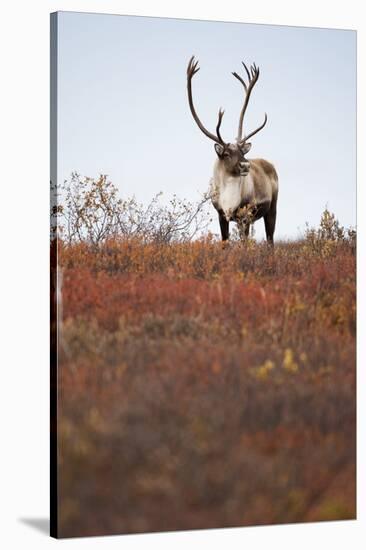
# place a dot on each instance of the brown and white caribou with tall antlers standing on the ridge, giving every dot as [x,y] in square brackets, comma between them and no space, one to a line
[241,190]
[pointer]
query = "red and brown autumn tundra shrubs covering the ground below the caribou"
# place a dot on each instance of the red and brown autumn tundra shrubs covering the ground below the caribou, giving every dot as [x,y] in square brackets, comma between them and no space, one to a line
[199,386]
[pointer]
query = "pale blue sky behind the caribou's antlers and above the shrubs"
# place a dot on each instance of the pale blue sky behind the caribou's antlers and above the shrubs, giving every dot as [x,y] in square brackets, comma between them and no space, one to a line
[123,108]
